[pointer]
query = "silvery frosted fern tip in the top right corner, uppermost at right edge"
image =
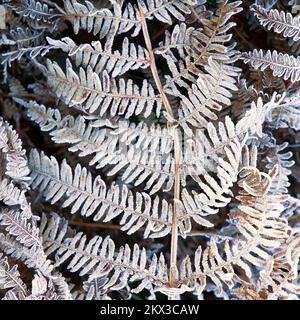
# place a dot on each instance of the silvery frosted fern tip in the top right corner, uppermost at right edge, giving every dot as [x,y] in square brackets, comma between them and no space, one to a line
[280,22]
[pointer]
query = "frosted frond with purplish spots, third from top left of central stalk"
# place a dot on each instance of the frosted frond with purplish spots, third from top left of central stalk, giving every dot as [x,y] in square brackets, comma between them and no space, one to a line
[119,97]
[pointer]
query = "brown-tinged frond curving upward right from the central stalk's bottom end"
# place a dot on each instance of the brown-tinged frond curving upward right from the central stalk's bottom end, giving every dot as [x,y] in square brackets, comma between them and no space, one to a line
[261,227]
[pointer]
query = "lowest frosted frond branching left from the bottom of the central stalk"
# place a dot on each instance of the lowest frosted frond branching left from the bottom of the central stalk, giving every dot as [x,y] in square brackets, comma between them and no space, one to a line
[97,258]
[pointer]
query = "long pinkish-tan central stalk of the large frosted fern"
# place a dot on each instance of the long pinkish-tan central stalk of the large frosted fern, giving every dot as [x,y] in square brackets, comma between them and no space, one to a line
[177,150]
